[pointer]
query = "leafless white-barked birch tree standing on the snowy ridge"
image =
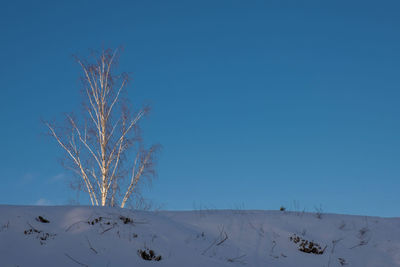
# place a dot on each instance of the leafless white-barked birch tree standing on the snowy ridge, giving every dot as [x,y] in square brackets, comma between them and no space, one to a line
[104,148]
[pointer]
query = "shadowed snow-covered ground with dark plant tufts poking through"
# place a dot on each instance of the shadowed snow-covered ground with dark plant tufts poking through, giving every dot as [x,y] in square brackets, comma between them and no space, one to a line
[91,236]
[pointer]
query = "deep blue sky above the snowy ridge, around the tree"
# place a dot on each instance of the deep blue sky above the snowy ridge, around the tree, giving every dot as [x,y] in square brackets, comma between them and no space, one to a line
[257,104]
